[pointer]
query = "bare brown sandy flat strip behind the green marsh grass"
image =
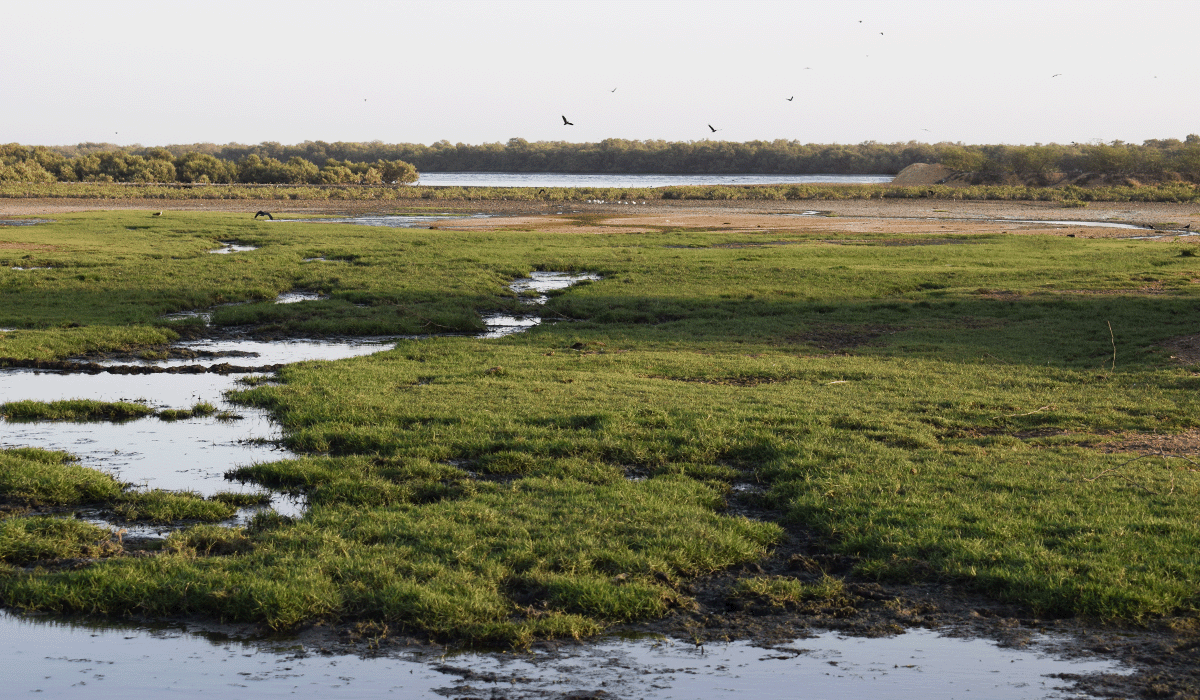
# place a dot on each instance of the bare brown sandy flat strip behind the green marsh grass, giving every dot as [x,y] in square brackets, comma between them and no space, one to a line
[895,217]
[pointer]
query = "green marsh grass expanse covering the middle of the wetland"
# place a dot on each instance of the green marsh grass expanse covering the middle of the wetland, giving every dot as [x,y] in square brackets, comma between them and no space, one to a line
[961,410]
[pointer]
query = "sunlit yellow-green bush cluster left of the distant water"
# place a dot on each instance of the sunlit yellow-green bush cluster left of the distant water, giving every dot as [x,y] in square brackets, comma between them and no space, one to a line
[20,164]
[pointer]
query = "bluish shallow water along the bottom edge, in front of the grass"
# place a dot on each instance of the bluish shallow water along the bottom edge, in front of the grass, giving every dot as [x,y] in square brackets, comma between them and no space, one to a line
[70,660]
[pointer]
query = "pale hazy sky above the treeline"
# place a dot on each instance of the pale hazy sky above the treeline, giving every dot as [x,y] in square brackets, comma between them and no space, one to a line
[467,71]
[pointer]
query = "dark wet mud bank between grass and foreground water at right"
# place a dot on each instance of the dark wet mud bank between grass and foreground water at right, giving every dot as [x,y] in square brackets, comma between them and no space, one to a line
[1166,654]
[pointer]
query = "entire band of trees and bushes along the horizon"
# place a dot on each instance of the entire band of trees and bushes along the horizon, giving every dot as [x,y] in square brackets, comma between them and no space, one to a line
[343,163]
